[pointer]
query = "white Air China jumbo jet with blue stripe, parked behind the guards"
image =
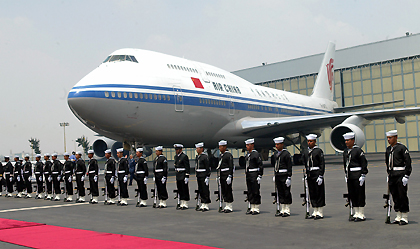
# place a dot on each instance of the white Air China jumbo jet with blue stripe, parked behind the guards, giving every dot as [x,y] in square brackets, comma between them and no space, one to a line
[144,98]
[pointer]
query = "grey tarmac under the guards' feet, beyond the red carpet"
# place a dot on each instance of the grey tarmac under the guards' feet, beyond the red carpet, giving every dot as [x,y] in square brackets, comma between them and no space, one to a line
[238,230]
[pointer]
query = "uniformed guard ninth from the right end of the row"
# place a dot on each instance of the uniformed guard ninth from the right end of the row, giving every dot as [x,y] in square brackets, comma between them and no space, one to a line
[160,170]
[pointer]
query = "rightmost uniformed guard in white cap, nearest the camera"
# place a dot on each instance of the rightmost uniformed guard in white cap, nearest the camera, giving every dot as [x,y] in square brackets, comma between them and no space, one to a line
[398,162]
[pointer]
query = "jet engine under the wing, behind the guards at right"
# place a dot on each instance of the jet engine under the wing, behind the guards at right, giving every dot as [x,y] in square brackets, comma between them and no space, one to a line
[352,124]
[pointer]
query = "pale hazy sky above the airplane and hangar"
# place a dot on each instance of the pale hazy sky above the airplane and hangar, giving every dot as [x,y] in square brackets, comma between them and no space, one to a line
[47,46]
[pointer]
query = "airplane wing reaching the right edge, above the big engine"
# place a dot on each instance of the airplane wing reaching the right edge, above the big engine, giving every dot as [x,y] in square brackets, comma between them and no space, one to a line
[269,127]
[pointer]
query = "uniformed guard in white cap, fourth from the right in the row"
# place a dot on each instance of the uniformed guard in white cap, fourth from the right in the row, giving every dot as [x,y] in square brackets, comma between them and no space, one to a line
[283,177]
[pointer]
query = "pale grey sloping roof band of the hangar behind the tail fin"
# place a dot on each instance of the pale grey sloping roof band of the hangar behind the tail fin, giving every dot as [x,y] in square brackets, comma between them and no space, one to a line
[375,52]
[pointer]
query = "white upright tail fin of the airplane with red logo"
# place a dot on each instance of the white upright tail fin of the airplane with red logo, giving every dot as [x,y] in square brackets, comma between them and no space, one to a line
[324,84]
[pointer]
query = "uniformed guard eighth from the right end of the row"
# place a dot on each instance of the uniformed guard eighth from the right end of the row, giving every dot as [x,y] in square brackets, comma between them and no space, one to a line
[182,169]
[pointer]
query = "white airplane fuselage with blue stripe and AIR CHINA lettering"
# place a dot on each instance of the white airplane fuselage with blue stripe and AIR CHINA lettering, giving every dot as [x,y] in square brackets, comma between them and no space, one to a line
[162,99]
